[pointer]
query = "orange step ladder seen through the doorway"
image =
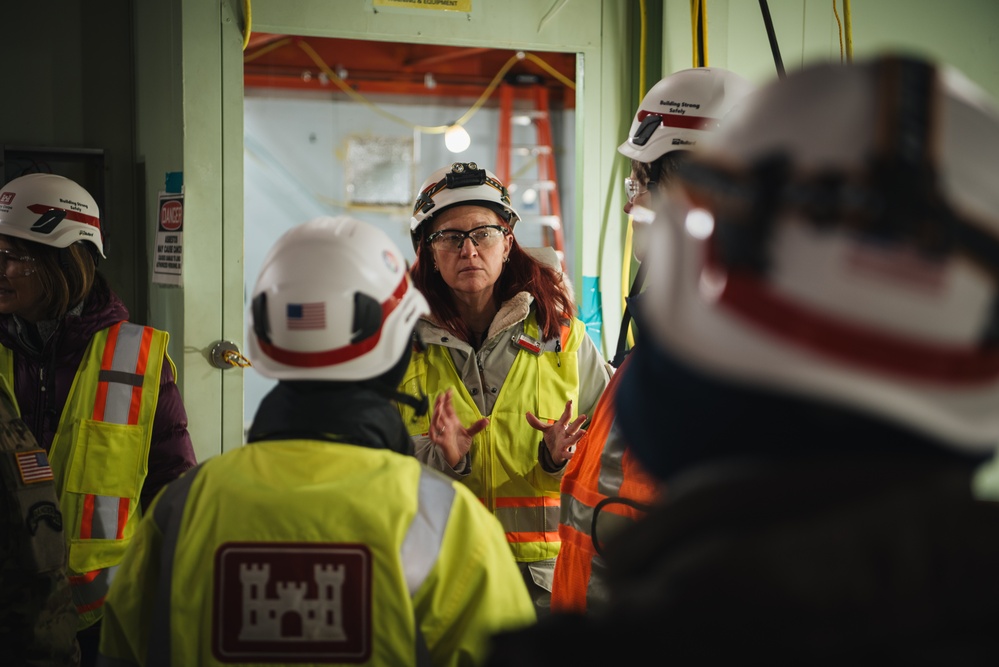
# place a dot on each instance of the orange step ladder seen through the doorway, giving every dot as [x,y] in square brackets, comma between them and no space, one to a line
[540,158]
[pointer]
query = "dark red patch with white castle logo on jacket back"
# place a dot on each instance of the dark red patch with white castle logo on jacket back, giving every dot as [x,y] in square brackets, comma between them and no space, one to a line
[292,602]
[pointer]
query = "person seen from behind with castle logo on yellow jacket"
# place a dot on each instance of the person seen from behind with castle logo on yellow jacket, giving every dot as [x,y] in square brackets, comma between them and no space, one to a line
[323,540]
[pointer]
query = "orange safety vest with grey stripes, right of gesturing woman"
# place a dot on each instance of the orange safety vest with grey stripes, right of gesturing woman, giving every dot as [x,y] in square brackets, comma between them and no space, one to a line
[603,467]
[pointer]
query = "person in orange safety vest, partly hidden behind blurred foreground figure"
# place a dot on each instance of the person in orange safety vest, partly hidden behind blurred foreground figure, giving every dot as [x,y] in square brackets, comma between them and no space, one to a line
[604,488]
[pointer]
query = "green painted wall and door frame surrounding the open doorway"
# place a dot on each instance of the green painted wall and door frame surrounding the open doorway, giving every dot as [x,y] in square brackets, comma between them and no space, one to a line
[159,86]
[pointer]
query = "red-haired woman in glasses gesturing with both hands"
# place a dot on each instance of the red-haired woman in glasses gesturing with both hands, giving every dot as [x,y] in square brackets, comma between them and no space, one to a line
[504,358]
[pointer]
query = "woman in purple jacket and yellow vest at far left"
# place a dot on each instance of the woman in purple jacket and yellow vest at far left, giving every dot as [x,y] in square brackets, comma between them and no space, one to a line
[75,363]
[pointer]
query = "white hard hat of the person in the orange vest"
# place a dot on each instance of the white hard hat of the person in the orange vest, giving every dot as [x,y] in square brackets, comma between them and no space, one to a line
[681,110]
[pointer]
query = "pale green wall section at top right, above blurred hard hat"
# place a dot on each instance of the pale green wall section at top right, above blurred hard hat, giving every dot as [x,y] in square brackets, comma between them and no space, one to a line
[963,33]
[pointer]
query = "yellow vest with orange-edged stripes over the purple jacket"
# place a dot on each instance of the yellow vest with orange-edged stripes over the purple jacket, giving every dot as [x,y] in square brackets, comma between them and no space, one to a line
[100,453]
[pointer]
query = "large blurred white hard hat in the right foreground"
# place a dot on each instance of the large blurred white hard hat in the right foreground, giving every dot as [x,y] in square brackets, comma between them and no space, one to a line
[848,248]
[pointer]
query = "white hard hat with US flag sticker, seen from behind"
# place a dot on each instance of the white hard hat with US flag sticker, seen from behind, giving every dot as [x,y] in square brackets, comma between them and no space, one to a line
[333,301]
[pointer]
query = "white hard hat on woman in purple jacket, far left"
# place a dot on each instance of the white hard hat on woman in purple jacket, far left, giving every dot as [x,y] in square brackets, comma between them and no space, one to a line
[50,209]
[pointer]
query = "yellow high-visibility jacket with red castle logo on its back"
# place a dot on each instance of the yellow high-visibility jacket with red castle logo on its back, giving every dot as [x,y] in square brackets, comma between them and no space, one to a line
[301,551]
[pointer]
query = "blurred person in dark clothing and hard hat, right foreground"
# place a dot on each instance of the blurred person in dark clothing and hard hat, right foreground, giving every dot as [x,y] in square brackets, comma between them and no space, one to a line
[817,384]
